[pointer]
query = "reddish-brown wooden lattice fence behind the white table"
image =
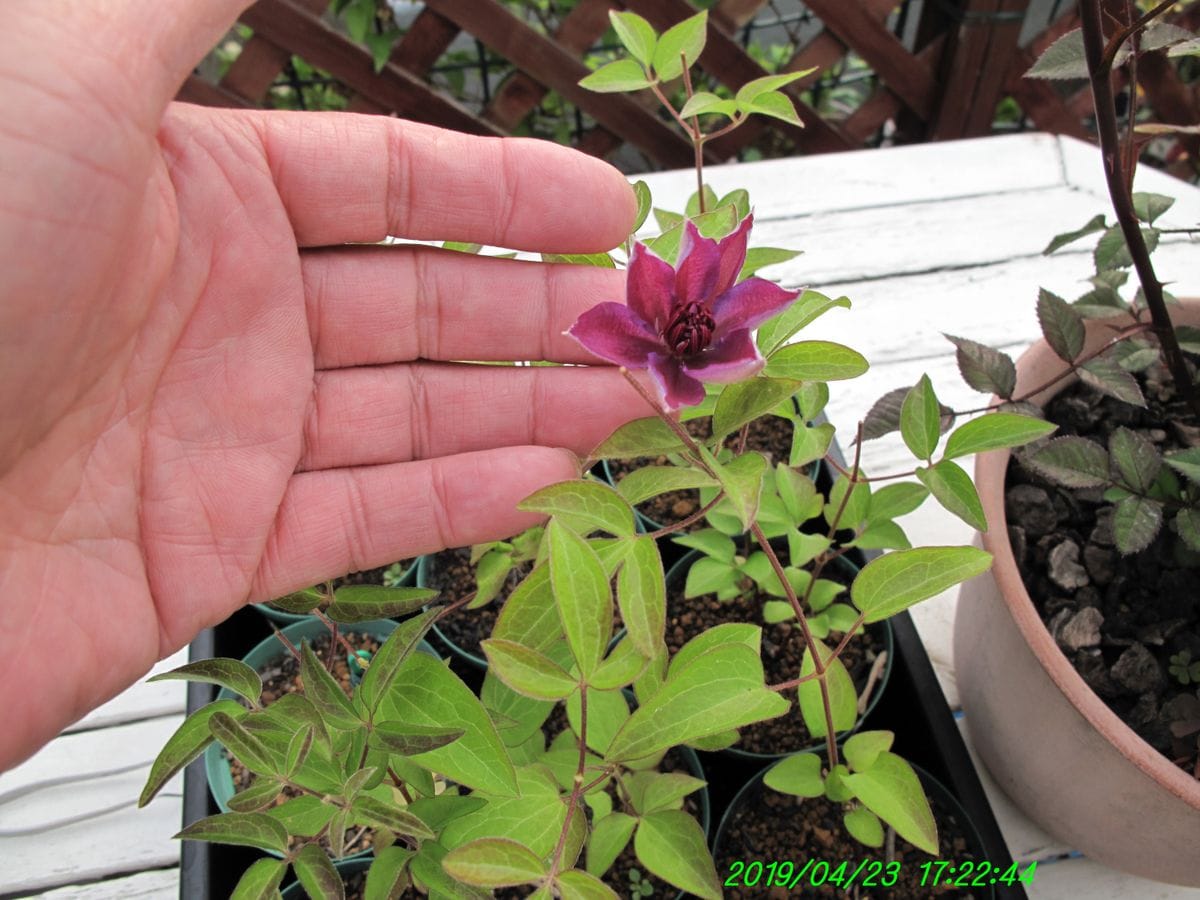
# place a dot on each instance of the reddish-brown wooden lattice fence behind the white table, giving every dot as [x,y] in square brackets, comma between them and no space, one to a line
[967,61]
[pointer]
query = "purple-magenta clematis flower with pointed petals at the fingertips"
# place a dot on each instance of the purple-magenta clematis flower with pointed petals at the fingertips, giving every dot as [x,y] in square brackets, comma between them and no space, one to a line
[687,325]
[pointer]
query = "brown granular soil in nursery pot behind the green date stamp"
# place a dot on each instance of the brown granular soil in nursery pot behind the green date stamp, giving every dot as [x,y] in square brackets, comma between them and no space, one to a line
[775,827]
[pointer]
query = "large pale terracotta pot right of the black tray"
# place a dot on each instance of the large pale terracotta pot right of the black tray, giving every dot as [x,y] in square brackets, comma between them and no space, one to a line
[1052,745]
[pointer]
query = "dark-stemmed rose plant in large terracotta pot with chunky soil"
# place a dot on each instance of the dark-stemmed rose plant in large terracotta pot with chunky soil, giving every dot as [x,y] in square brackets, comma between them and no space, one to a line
[1071,657]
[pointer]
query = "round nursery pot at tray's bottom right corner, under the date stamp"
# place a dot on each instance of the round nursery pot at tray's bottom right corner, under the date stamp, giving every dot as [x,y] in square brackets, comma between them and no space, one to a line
[746,867]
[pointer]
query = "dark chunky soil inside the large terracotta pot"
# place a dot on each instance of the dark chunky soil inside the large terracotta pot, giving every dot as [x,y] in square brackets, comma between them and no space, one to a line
[1119,620]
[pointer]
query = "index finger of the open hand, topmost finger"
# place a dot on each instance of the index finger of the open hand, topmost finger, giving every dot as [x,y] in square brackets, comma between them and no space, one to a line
[359,178]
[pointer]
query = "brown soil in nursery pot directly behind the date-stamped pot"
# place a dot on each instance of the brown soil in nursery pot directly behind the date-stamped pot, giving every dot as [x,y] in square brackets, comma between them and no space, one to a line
[783,651]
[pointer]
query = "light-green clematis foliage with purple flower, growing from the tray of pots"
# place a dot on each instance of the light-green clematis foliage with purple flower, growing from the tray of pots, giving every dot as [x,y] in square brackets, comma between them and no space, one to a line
[463,794]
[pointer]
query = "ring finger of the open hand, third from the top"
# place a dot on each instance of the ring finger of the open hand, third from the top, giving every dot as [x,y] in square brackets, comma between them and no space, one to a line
[370,417]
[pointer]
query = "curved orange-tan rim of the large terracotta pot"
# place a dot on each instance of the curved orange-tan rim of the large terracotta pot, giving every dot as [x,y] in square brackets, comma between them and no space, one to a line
[991,471]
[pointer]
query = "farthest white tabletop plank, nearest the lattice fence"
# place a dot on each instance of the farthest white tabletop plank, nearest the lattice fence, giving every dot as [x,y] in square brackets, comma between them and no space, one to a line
[867,179]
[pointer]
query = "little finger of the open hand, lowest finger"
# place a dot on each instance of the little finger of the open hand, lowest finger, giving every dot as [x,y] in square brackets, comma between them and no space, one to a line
[349,520]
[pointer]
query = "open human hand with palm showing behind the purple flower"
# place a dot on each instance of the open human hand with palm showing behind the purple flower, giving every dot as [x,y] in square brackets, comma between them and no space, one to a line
[207,398]
